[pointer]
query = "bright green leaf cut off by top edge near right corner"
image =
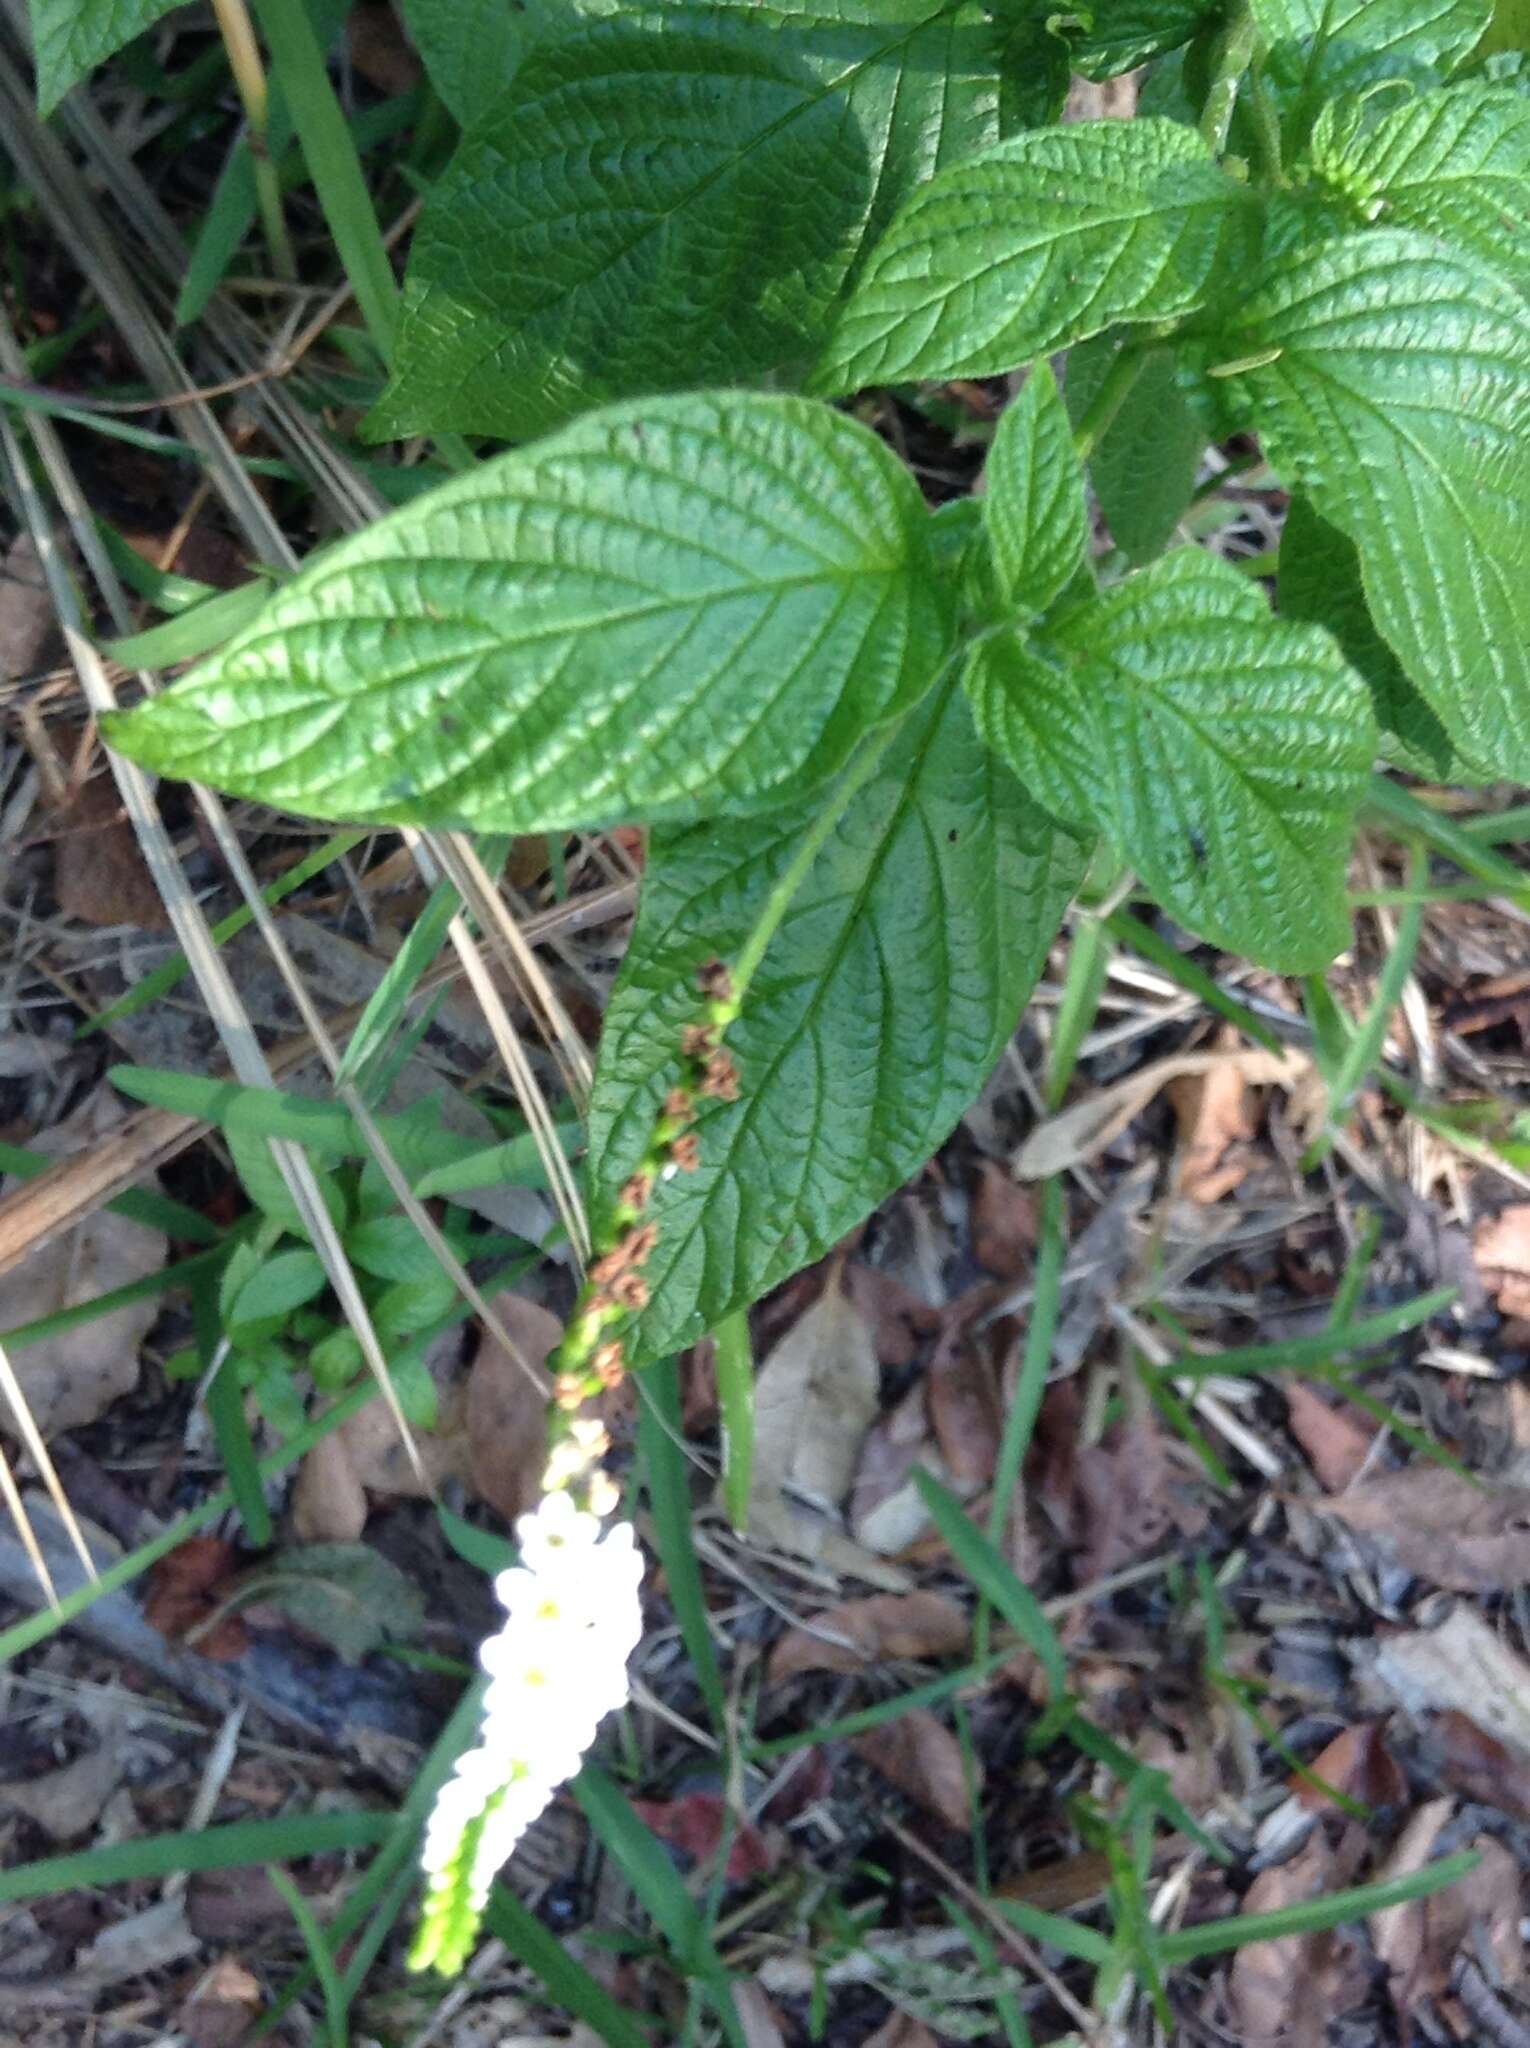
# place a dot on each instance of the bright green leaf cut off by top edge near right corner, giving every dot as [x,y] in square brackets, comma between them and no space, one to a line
[1320,48]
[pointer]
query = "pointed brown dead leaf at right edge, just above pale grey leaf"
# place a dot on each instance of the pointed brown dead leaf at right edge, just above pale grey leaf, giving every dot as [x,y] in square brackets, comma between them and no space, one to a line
[1441,1527]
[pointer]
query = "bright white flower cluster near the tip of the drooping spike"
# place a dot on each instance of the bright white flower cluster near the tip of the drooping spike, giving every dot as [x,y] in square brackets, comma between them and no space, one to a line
[556,1670]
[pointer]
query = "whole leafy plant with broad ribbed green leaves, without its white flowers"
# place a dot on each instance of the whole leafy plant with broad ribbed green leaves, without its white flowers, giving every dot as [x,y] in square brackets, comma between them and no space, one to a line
[878,749]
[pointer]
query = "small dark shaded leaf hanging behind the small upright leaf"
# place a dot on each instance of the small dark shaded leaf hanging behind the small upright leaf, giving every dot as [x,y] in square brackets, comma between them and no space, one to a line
[1148,460]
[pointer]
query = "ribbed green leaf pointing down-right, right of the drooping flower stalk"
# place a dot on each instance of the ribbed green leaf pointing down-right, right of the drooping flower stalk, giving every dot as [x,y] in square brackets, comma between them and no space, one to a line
[1222,751]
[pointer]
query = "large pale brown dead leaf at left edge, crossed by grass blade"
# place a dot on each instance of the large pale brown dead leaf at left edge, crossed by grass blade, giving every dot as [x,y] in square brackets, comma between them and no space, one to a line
[75,1377]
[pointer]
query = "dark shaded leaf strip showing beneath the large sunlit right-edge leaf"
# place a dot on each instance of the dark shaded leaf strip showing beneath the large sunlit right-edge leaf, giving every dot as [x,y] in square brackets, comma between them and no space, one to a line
[1320,581]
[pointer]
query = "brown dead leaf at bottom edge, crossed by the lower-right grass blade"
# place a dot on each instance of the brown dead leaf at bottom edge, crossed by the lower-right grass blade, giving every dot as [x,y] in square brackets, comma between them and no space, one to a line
[1291,1990]
